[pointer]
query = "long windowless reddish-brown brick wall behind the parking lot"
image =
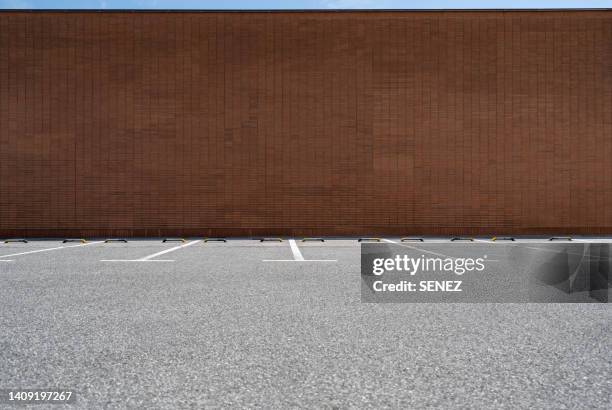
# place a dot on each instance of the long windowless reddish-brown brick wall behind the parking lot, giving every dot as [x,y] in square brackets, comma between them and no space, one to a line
[305,123]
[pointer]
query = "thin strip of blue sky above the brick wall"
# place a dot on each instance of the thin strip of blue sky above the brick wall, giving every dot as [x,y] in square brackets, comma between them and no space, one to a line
[298,4]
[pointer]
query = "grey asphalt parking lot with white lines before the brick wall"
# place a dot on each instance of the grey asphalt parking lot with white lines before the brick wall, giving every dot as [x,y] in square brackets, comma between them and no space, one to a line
[277,324]
